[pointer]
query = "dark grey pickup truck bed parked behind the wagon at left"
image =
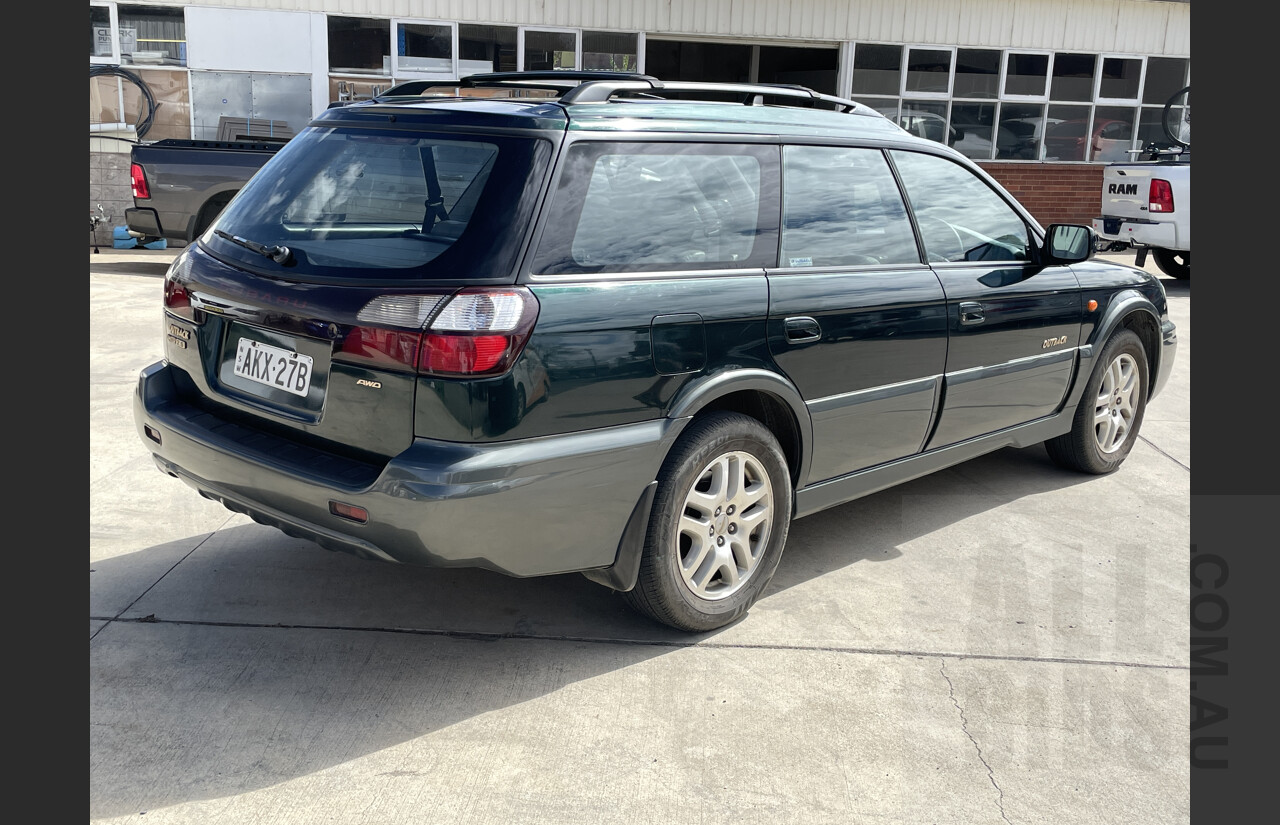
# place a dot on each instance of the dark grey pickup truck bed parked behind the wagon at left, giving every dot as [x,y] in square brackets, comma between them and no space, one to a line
[180,186]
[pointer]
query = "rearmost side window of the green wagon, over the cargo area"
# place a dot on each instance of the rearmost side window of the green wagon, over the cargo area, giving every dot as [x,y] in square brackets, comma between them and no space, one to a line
[662,207]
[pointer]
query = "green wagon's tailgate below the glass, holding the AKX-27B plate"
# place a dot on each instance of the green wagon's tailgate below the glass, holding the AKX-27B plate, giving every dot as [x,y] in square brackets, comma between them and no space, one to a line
[292,359]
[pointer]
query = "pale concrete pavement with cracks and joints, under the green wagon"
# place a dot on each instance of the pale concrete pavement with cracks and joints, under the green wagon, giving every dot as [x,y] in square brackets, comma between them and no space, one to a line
[1002,643]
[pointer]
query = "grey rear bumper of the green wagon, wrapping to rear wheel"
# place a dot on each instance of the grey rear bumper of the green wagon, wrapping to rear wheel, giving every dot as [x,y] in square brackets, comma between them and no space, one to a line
[533,507]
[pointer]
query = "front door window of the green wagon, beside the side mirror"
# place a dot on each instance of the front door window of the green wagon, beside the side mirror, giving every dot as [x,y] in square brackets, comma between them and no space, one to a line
[959,216]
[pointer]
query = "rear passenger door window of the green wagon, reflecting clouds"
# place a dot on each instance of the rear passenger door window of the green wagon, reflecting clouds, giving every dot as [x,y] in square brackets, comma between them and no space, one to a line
[843,208]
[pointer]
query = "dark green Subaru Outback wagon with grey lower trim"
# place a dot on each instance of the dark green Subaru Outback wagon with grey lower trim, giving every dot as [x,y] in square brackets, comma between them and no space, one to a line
[597,323]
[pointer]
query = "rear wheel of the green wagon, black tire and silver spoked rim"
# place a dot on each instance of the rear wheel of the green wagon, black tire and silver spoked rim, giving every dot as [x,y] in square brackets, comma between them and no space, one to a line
[739,553]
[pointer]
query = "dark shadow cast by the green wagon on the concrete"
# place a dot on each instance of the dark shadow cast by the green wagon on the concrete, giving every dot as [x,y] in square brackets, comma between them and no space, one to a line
[198,641]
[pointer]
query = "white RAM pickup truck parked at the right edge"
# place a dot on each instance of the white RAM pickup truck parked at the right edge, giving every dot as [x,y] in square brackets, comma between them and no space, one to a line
[1148,205]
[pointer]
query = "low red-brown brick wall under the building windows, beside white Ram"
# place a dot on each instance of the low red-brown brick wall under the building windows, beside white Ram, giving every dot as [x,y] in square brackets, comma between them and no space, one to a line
[1055,194]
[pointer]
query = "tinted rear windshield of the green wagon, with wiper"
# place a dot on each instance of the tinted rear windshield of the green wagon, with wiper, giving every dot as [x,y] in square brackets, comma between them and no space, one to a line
[362,204]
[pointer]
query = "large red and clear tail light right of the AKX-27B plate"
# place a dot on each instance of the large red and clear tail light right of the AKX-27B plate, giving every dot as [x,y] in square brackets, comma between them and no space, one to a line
[474,333]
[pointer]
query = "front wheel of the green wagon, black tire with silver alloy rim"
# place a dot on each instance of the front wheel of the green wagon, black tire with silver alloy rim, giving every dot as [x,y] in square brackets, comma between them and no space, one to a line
[1110,414]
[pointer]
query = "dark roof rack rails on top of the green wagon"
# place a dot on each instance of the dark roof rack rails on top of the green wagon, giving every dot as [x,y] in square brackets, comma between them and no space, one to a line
[600,88]
